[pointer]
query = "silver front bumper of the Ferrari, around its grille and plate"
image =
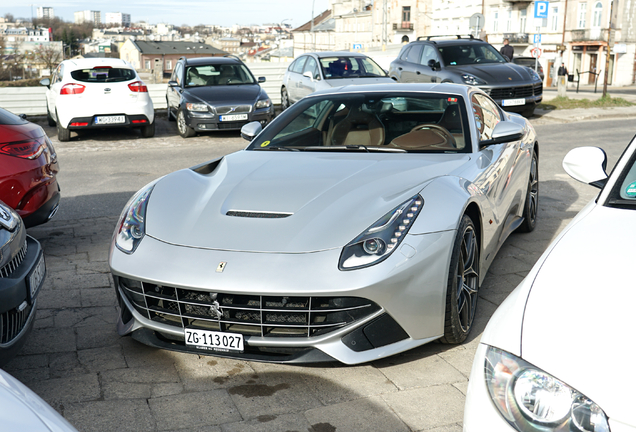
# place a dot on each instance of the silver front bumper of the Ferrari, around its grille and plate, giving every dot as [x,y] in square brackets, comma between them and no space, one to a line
[404,298]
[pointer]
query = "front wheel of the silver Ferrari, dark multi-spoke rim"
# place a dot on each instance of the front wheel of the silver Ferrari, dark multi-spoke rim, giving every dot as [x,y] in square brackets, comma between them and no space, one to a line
[463,284]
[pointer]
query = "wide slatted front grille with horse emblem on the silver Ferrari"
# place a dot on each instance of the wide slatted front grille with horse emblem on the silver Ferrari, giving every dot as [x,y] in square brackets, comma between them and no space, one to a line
[249,314]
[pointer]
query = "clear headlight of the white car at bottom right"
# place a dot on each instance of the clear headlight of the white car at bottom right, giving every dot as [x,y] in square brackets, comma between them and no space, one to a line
[533,400]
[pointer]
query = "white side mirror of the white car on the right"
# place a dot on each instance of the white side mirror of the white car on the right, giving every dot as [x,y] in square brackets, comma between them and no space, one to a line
[587,165]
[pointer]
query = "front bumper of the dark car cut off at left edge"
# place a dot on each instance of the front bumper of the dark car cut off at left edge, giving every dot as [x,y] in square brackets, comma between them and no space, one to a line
[18,301]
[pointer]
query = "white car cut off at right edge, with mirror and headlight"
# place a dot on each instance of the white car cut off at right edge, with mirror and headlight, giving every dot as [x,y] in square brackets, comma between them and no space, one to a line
[555,355]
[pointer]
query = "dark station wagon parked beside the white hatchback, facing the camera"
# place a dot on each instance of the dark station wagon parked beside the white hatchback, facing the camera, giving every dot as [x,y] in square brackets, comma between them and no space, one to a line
[215,93]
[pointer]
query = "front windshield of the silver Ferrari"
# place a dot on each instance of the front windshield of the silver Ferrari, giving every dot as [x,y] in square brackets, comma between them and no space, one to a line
[371,122]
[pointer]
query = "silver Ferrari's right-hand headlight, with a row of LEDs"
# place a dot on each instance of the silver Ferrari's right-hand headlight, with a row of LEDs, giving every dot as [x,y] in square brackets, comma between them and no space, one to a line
[376,243]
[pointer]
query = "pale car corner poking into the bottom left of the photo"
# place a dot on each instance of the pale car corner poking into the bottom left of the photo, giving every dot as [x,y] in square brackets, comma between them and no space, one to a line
[22,410]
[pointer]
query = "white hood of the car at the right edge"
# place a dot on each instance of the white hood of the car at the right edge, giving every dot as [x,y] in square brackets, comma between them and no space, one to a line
[580,309]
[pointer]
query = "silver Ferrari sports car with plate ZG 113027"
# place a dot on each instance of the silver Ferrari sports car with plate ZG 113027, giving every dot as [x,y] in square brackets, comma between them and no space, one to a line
[360,223]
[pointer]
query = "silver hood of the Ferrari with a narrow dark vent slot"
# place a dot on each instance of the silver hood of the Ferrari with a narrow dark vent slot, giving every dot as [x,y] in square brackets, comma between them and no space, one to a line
[322,200]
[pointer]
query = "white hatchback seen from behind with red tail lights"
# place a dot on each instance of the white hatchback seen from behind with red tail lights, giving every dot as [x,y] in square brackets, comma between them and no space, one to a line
[97,93]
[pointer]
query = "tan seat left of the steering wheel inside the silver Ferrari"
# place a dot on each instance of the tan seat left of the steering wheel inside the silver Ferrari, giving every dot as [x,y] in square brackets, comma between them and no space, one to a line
[359,128]
